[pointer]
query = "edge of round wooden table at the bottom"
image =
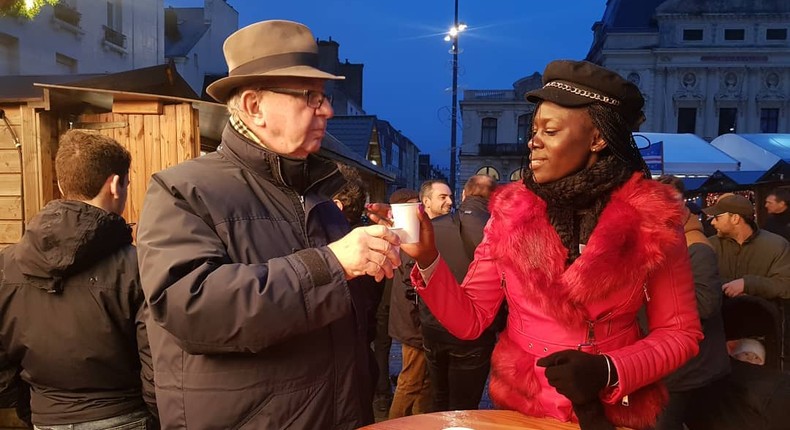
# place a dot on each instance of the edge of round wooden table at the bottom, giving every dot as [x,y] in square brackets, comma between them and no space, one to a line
[472,420]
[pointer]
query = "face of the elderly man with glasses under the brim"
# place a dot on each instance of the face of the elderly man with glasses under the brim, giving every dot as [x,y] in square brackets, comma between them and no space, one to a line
[287,124]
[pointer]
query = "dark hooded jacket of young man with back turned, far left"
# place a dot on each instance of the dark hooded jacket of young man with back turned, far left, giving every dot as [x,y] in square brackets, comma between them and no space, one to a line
[72,316]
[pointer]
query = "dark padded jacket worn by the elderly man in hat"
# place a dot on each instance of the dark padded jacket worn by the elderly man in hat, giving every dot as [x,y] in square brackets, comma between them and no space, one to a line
[252,320]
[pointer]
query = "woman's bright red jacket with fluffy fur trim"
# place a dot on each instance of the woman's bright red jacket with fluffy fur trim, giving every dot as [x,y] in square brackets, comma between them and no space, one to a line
[635,256]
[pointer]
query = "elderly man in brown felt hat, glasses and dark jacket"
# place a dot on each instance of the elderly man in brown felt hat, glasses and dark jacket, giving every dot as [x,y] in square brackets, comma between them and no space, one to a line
[245,260]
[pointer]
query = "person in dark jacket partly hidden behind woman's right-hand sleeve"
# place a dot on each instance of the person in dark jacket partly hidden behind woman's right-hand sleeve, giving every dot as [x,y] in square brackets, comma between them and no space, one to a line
[696,387]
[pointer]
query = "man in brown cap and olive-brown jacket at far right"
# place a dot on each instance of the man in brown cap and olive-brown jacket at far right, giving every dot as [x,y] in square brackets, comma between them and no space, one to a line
[751,261]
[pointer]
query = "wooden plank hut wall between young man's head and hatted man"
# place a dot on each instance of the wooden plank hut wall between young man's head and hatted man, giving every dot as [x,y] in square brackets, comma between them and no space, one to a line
[155,142]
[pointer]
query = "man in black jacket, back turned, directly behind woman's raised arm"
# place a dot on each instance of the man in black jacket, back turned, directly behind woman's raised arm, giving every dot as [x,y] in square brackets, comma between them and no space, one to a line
[458,368]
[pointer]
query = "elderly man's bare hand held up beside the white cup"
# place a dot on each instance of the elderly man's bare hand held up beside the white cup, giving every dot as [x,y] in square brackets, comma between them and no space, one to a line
[371,250]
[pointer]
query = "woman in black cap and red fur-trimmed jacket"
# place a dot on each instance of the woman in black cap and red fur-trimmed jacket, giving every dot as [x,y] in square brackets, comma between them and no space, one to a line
[576,250]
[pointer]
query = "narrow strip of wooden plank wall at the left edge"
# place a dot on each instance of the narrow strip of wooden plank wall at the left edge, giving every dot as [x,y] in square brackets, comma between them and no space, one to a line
[10,178]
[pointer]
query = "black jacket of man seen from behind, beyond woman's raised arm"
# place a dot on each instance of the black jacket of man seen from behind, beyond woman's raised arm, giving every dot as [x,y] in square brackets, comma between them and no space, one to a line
[457,235]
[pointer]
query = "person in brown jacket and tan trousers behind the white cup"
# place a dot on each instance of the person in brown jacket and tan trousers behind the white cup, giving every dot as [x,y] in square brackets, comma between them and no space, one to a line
[413,390]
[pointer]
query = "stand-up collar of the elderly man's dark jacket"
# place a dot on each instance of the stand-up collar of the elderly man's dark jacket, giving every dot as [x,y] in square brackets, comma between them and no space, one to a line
[323,174]
